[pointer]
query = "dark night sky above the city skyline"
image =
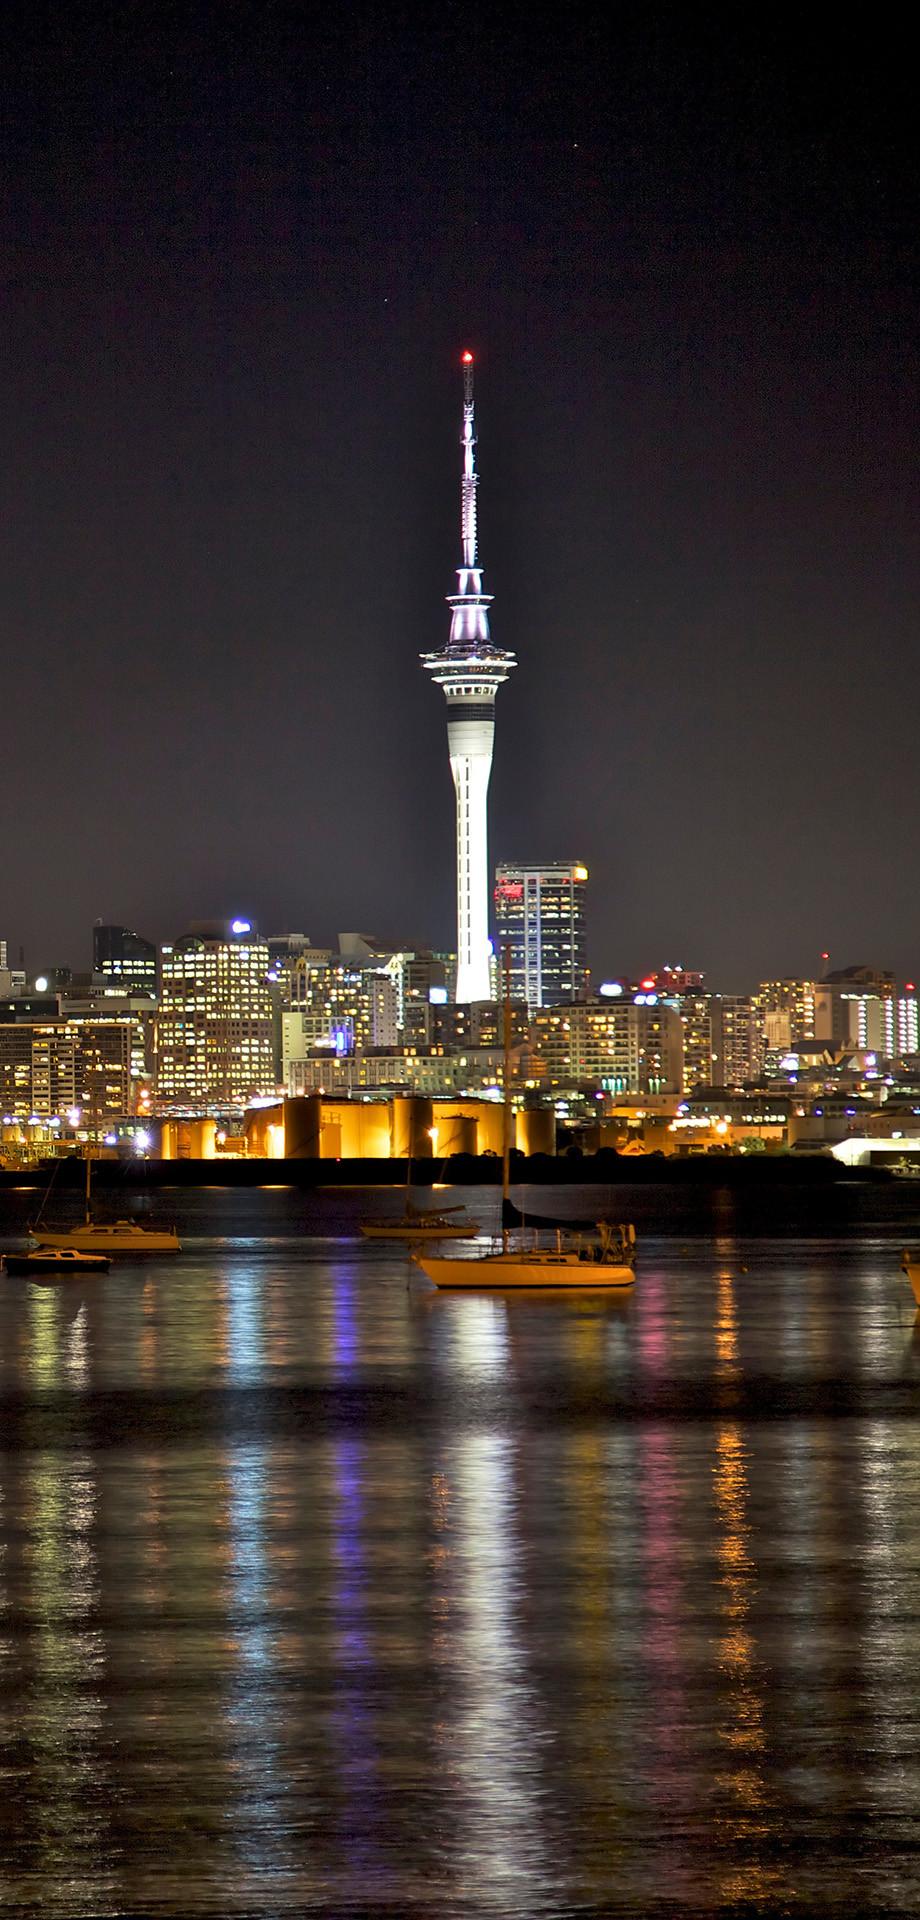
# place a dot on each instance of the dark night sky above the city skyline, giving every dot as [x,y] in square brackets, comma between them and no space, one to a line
[243,252]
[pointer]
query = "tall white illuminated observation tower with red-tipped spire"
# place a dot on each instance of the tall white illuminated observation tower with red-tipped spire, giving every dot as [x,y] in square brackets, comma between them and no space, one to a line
[472,671]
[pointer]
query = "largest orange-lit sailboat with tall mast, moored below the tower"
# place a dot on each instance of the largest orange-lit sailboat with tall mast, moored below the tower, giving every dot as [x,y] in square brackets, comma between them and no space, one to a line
[573,1262]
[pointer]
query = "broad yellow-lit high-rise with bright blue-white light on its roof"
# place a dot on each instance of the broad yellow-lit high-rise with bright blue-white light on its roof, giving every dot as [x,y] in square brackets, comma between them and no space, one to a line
[216,1019]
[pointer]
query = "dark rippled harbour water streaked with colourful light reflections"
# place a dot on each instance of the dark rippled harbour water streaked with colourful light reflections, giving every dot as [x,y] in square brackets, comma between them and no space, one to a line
[322,1593]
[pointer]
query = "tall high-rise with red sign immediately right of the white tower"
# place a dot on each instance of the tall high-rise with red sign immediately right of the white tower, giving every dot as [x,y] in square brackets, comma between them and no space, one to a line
[541,921]
